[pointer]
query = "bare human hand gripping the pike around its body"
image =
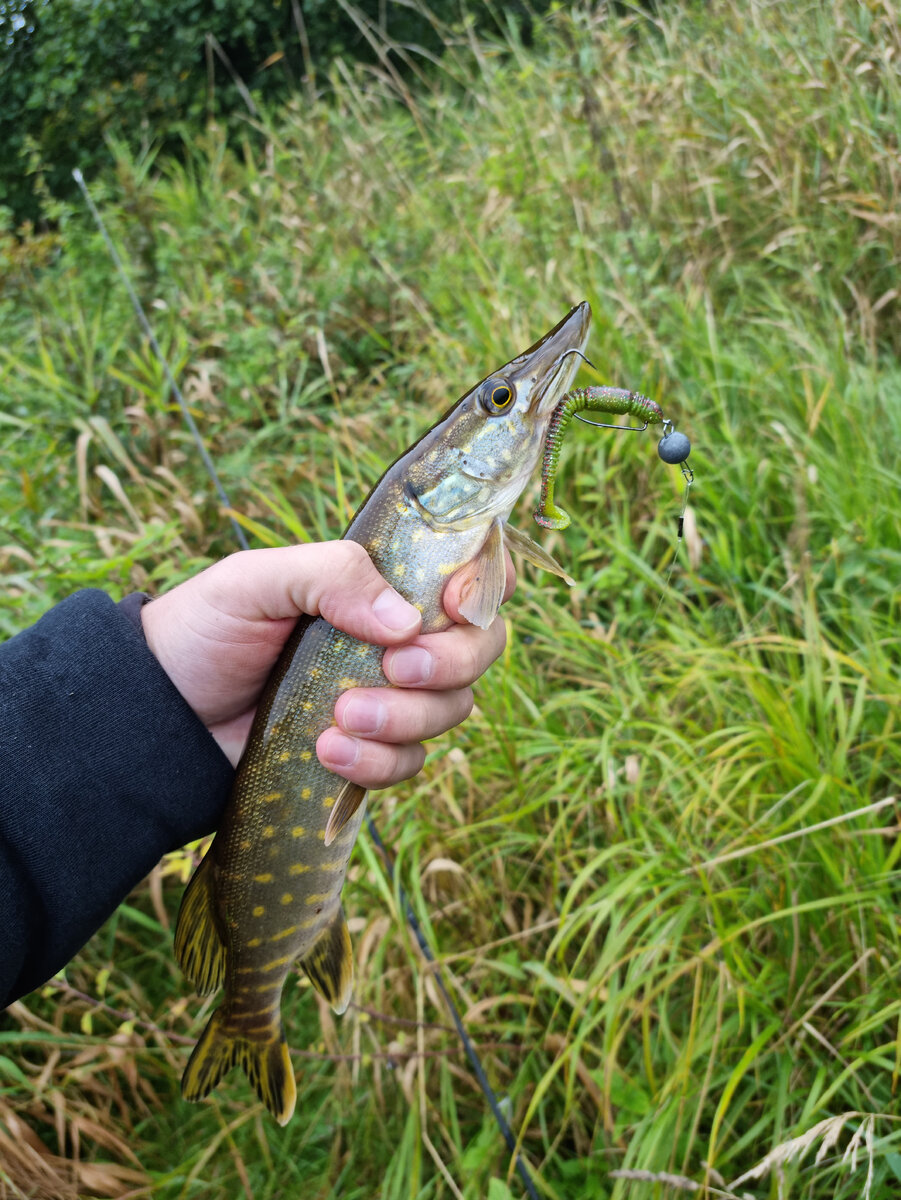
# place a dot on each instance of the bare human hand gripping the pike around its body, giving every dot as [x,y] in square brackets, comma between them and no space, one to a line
[219,635]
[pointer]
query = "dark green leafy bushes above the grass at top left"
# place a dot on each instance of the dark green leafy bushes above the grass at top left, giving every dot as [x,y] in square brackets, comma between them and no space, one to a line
[75,75]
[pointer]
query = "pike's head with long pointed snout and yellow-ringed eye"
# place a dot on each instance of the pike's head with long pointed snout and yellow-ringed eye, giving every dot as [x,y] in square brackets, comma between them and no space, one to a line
[473,466]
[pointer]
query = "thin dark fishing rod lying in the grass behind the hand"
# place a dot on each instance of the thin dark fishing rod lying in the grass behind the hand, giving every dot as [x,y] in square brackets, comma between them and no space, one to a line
[472,1054]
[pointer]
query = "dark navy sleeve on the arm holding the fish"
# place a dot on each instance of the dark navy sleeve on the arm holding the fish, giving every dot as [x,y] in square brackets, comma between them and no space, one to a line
[104,769]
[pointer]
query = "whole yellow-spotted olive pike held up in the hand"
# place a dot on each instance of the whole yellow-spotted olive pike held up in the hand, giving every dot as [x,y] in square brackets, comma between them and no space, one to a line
[267,897]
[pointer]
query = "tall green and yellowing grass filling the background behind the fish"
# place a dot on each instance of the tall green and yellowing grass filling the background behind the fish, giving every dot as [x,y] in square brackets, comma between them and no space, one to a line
[660,865]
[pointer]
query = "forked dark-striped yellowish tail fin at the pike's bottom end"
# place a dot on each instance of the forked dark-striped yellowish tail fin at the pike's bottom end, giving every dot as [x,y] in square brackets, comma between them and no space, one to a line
[265,1059]
